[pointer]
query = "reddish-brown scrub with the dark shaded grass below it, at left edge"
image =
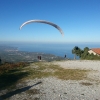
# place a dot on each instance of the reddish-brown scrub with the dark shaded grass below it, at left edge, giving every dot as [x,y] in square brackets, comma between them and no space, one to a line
[10,74]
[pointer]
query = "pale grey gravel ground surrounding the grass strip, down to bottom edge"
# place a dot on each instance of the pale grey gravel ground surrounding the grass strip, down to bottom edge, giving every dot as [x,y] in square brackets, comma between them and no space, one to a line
[52,88]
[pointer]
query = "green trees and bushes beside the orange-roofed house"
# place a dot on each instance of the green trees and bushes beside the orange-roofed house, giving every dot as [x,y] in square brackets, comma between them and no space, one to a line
[83,54]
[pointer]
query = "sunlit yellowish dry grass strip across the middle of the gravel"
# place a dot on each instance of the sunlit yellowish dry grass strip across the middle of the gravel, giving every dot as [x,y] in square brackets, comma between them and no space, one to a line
[48,69]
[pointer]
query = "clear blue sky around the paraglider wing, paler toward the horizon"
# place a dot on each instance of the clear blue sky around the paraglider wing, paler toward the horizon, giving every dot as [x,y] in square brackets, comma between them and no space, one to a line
[79,20]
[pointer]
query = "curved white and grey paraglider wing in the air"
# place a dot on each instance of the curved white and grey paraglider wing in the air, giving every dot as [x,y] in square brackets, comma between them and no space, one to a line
[43,21]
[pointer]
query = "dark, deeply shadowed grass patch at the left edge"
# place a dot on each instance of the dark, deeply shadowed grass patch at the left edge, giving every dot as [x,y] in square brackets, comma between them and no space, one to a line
[10,78]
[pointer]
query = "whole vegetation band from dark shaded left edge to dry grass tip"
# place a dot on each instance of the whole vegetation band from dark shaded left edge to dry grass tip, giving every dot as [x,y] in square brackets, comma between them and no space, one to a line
[15,73]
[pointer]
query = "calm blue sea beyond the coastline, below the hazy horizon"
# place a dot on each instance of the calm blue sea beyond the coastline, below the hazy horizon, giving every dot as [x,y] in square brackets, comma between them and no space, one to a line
[58,49]
